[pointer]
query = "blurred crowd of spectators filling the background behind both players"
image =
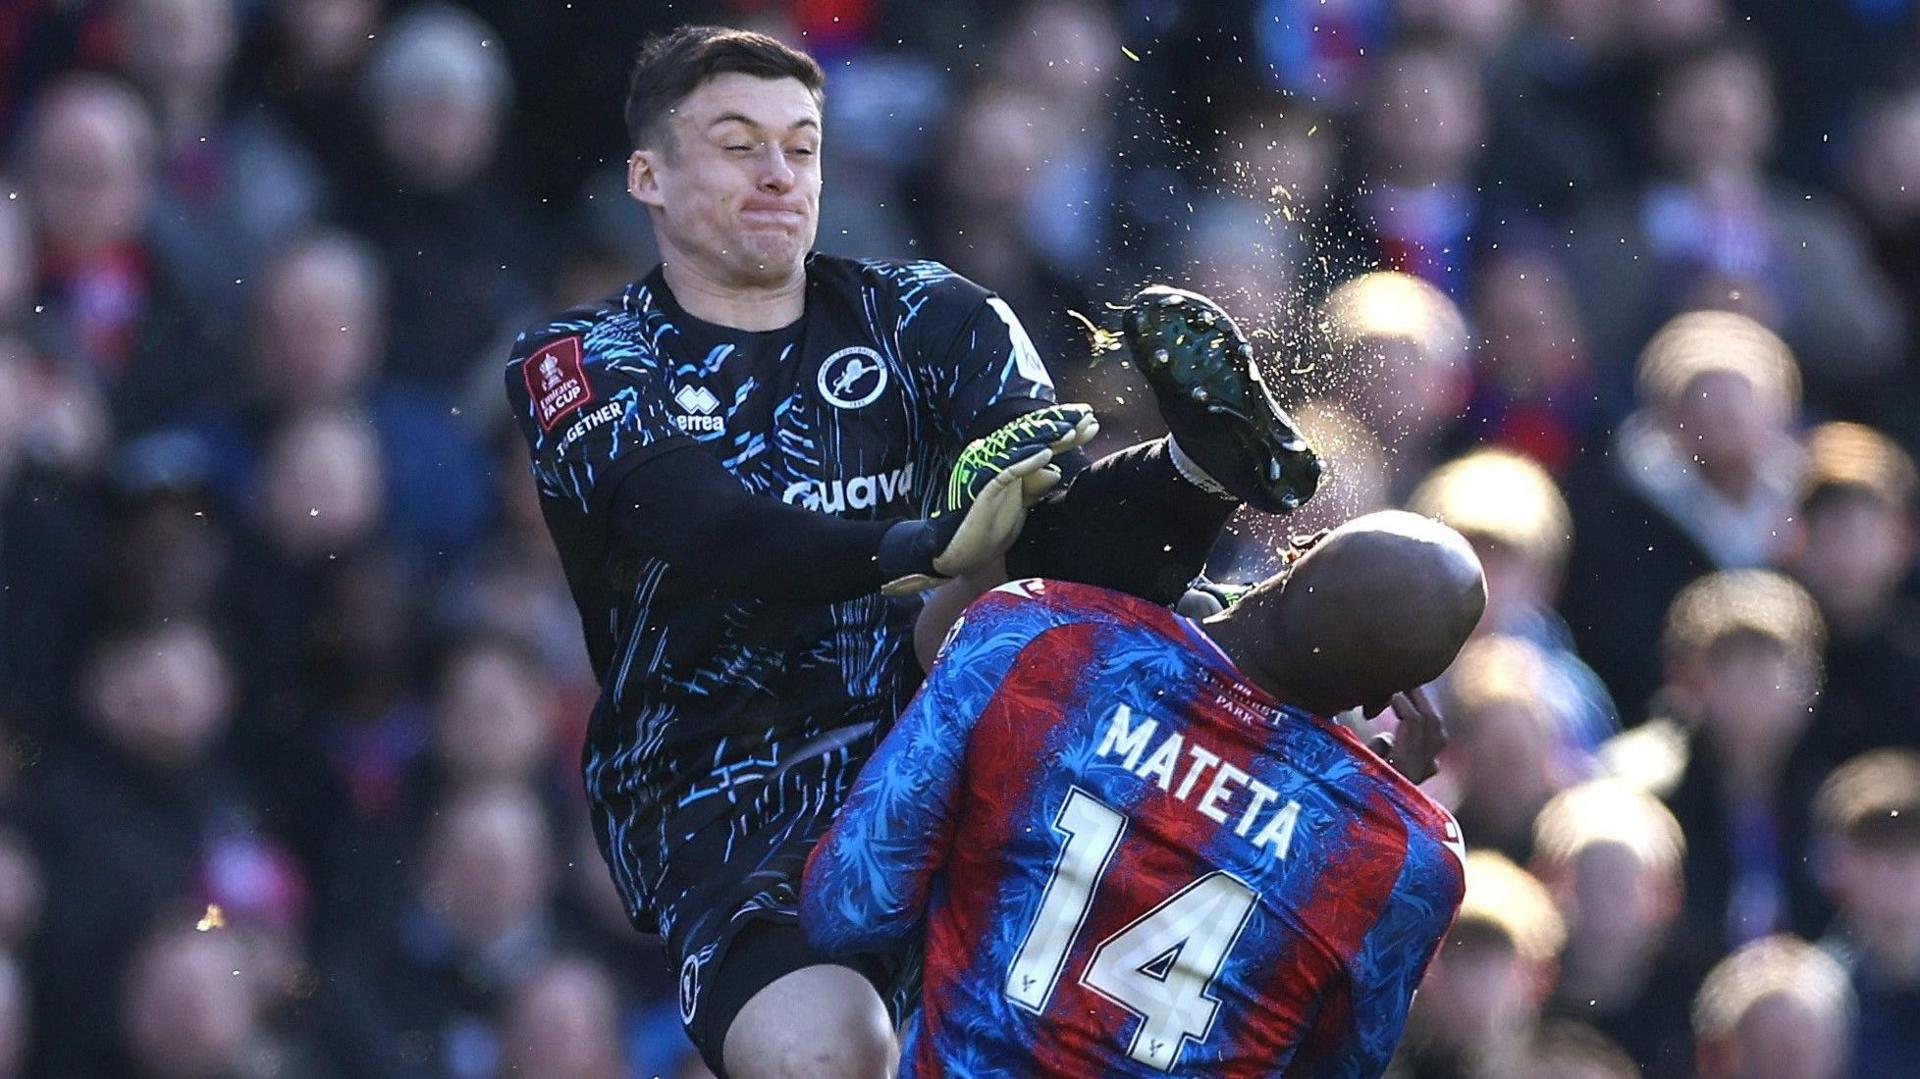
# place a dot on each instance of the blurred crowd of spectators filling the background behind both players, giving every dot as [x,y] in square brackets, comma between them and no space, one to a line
[293,690]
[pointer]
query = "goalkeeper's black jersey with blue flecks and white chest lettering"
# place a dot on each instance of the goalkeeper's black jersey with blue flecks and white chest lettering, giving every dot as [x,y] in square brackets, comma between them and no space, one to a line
[723,717]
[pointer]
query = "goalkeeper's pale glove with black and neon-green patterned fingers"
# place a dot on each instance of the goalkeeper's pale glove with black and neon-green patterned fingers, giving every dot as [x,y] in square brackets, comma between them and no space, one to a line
[986,502]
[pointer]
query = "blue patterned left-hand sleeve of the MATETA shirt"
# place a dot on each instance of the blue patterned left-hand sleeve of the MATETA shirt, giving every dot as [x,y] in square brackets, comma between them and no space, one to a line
[867,882]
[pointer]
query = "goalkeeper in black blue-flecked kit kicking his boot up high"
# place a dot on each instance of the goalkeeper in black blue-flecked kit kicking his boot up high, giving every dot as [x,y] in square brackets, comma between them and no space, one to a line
[754,460]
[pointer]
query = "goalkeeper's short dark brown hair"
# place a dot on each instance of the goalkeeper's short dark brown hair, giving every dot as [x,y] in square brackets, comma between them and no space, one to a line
[675,64]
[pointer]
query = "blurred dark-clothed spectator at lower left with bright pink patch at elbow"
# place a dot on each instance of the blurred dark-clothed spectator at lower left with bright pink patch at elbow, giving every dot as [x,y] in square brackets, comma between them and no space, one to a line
[147,817]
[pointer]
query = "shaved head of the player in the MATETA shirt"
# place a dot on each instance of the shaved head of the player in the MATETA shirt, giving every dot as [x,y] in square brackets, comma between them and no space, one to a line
[1376,608]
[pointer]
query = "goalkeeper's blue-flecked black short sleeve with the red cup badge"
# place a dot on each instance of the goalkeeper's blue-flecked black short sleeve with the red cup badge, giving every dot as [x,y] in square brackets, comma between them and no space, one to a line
[592,406]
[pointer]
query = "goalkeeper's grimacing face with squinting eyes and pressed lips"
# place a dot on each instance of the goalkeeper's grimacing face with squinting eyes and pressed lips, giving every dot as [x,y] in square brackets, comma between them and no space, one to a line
[734,180]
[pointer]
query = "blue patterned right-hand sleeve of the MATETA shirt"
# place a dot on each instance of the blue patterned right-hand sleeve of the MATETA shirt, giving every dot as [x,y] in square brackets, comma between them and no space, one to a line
[1395,957]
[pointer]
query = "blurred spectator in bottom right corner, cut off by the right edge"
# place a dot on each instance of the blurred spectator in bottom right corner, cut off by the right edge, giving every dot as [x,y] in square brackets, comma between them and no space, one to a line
[1869,819]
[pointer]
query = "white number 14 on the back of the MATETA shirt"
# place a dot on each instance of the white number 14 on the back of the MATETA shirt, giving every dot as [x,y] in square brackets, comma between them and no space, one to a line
[1159,967]
